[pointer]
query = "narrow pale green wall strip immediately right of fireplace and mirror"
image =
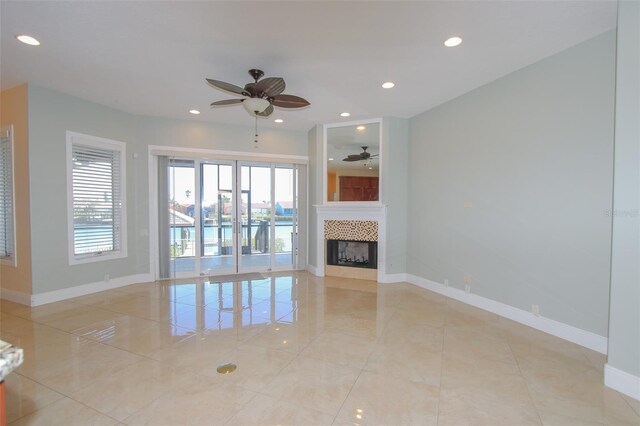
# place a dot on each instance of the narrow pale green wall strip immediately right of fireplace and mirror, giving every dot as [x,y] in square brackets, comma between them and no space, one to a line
[395,175]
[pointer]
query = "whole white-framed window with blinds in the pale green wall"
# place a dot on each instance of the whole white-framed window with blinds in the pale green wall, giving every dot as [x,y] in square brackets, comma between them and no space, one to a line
[96,192]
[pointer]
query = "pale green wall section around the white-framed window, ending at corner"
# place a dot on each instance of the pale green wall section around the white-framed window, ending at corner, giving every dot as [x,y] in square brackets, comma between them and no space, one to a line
[51,114]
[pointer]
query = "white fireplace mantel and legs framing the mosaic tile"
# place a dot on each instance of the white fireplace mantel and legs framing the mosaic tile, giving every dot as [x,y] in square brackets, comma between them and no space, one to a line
[350,211]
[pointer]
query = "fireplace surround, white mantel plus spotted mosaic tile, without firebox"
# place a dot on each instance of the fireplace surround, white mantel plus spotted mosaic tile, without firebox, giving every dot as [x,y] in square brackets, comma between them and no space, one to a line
[350,222]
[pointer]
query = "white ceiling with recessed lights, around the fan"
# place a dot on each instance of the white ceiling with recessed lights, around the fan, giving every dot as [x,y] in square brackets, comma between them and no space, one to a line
[152,58]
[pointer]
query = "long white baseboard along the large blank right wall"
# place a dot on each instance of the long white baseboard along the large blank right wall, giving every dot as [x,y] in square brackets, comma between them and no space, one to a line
[564,331]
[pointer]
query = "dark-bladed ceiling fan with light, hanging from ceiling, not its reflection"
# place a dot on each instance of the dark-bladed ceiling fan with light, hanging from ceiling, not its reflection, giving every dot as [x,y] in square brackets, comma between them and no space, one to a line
[259,97]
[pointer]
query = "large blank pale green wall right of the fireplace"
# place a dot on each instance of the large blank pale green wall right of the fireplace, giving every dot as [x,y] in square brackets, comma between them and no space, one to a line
[532,152]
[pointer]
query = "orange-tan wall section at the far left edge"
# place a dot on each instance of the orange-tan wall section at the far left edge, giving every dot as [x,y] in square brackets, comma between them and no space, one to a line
[14,111]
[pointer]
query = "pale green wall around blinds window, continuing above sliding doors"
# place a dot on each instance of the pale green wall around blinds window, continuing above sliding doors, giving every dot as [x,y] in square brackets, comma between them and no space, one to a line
[51,114]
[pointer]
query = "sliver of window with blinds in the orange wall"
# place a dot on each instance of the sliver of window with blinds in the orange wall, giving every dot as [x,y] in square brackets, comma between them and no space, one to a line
[7,221]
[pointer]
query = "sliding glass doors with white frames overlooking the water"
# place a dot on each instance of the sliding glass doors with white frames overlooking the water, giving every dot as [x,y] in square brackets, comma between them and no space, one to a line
[226,217]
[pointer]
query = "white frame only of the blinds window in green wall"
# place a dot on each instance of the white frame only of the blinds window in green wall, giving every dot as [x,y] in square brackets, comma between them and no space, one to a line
[79,139]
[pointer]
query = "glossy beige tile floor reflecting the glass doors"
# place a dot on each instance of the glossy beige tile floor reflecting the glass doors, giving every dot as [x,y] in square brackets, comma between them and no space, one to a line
[308,350]
